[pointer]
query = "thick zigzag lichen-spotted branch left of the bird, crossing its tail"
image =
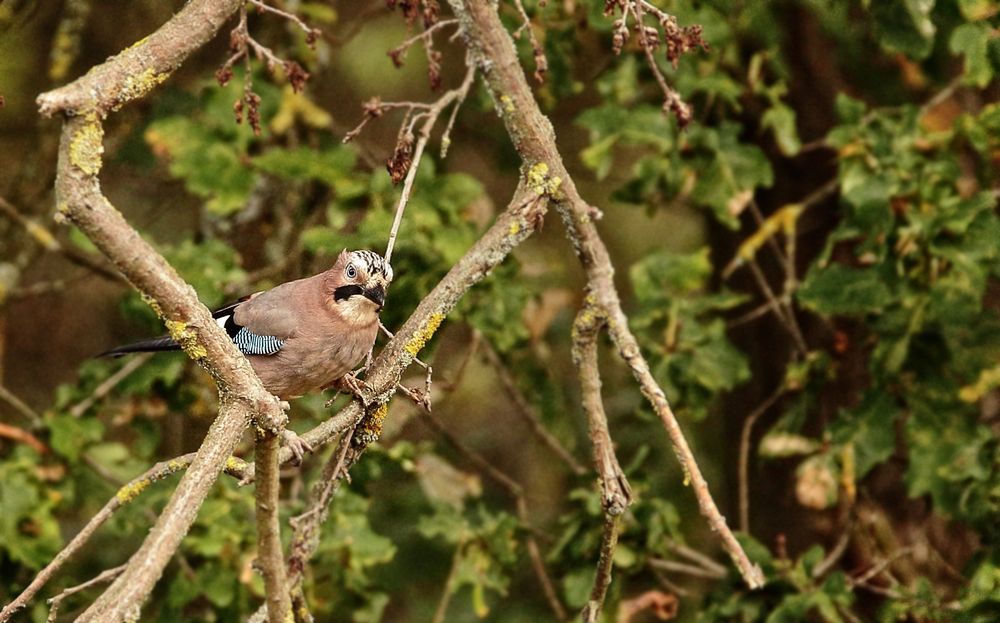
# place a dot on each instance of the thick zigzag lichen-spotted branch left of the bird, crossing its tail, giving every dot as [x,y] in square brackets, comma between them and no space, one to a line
[125,77]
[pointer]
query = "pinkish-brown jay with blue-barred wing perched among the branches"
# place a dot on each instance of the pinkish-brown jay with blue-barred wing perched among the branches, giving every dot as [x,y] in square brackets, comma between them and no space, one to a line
[306,335]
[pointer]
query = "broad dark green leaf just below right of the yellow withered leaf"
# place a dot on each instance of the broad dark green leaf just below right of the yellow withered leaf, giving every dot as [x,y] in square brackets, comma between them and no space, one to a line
[840,290]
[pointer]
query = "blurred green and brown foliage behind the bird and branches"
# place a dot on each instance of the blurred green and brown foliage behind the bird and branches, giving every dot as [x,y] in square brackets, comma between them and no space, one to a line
[811,267]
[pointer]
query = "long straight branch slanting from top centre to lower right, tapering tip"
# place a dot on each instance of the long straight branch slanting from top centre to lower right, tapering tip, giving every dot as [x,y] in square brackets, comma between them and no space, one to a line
[534,139]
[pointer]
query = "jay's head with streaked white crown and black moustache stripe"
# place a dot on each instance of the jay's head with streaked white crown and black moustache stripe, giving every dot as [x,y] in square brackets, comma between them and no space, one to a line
[358,281]
